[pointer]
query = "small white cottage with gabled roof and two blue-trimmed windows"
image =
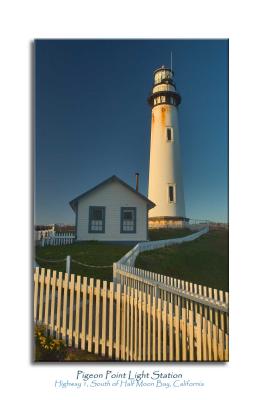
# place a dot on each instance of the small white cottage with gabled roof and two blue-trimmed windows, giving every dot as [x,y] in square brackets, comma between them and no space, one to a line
[112,211]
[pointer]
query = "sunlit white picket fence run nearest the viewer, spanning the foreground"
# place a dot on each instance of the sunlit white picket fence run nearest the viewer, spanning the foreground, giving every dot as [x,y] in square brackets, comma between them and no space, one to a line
[124,323]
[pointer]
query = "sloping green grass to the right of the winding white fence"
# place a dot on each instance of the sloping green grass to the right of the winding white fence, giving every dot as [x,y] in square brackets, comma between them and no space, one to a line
[203,261]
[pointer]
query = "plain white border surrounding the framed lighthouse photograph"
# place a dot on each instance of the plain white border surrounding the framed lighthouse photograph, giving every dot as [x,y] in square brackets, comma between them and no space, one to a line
[242,23]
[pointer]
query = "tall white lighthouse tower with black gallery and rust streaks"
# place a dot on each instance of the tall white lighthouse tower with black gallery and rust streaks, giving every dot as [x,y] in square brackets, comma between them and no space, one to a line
[165,174]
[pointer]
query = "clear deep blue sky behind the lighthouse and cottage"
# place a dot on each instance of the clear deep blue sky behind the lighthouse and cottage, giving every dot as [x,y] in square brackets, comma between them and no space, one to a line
[93,120]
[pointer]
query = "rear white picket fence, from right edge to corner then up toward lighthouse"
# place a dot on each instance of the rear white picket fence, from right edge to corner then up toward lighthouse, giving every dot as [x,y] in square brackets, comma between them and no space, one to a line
[201,299]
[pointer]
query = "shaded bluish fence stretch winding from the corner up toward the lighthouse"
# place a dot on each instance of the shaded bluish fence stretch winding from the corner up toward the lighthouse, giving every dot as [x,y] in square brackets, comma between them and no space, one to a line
[130,257]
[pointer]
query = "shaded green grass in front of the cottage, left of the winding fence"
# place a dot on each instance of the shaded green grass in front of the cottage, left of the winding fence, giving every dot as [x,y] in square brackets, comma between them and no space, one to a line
[91,253]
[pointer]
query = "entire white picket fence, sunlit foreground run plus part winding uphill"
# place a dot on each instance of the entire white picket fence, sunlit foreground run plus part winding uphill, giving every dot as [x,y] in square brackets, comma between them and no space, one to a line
[140,316]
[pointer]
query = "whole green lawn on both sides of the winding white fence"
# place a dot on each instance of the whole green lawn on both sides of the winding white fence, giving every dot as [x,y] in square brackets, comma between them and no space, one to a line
[203,261]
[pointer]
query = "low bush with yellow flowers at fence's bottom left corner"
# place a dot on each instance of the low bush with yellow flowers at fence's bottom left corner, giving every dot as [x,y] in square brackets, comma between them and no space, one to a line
[48,348]
